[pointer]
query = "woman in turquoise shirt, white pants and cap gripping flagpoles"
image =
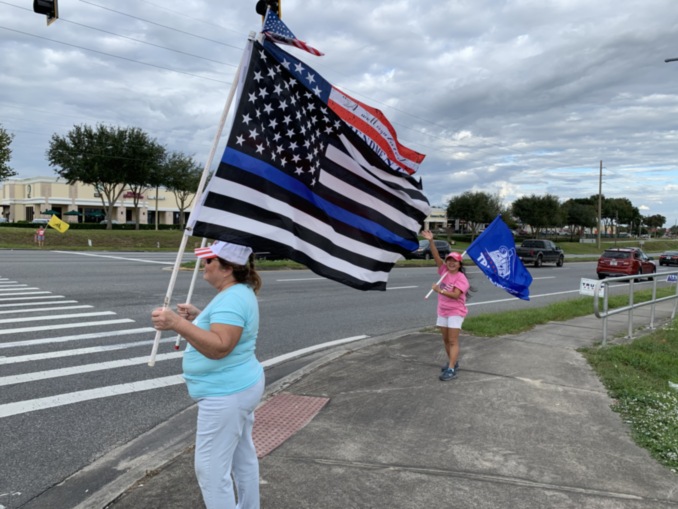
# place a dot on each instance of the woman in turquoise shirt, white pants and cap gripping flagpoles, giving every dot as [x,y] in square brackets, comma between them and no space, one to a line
[223,375]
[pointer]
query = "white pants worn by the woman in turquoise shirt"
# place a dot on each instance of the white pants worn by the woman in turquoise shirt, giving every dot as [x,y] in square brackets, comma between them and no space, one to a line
[223,445]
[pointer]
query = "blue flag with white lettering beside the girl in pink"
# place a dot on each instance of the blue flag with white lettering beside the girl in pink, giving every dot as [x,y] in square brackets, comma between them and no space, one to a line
[494,252]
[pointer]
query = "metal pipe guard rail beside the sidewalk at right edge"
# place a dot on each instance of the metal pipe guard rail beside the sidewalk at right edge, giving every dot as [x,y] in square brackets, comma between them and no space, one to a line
[606,312]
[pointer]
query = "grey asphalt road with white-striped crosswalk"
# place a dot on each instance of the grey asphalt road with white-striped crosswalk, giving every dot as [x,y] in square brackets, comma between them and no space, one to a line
[75,338]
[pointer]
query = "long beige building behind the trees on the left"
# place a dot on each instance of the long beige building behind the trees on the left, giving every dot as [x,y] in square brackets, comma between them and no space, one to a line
[25,199]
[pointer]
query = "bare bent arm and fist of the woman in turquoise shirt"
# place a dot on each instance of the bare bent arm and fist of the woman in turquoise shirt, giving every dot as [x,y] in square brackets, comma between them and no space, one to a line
[215,343]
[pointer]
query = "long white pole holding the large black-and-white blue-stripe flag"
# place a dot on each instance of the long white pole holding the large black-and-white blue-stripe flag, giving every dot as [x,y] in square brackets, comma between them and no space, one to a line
[201,187]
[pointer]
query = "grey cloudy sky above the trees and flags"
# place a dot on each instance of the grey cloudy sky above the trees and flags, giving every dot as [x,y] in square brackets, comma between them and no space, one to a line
[513,97]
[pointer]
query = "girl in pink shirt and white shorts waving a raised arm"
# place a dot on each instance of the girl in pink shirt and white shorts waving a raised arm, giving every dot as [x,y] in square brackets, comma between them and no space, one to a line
[452,309]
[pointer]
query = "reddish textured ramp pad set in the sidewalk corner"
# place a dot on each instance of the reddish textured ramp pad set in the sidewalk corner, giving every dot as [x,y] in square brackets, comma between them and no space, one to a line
[281,417]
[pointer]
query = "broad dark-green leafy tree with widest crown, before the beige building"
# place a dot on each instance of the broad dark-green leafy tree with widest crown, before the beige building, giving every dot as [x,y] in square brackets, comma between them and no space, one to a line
[105,157]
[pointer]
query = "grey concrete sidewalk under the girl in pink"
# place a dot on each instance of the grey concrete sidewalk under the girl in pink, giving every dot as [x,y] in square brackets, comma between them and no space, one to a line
[526,424]
